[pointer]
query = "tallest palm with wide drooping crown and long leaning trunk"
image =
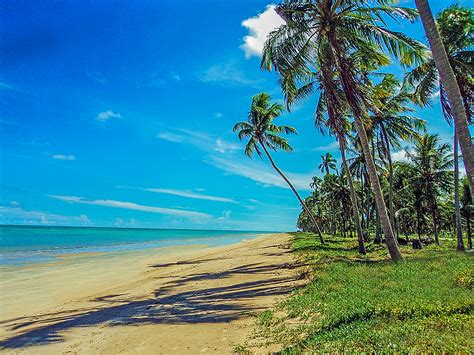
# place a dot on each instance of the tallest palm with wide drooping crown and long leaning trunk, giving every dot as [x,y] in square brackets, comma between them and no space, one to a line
[341,29]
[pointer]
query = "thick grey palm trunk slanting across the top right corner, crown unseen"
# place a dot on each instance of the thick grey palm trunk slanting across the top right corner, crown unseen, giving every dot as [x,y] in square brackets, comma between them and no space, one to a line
[451,87]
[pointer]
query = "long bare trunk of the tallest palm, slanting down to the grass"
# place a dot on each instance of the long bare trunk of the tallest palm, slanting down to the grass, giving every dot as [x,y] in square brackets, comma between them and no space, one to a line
[350,88]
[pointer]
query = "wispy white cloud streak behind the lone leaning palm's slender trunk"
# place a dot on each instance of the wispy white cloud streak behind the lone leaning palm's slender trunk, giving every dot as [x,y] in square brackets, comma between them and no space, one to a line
[261,173]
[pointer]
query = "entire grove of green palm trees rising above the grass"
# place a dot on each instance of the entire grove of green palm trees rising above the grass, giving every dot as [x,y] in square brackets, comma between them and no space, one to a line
[340,50]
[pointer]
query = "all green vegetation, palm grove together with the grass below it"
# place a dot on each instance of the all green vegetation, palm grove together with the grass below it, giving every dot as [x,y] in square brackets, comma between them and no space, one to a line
[397,187]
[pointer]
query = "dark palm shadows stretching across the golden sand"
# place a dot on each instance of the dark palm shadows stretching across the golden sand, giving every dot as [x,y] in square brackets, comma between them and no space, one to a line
[207,305]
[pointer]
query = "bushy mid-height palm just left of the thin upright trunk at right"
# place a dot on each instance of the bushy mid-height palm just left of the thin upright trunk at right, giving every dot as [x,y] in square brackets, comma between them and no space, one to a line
[431,162]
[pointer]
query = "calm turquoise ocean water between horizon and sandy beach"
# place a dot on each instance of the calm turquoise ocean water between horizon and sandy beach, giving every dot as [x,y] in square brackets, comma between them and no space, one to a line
[37,244]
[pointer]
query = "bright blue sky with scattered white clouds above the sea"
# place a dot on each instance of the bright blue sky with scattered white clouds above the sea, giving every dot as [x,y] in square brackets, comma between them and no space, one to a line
[121,114]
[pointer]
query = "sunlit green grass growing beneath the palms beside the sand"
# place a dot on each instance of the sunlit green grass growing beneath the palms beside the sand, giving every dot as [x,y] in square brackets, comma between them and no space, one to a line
[367,303]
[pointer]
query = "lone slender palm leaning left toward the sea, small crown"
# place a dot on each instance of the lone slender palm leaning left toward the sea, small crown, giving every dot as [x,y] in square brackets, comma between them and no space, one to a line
[263,133]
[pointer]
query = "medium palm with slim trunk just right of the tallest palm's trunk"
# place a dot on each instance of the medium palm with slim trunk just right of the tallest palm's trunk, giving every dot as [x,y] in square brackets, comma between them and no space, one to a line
[392,123]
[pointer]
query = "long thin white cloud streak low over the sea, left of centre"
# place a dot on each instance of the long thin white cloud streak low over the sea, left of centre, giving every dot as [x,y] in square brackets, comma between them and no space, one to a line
[130,206]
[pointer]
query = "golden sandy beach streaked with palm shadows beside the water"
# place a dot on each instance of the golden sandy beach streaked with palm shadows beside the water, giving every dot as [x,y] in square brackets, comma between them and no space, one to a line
[188,302]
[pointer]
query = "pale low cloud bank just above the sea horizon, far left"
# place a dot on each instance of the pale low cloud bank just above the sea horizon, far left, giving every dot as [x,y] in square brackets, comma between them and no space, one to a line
[17,215]
